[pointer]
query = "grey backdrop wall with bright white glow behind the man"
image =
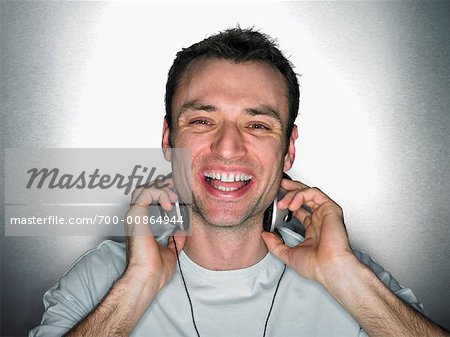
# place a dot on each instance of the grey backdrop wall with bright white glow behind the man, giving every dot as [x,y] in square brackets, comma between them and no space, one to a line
[374,120]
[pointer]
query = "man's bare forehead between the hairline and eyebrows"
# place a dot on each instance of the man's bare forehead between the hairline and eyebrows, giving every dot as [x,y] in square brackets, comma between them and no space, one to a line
[229,84]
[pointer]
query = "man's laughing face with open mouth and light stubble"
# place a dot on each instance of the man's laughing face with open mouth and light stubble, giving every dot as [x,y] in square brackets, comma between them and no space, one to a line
[233,117]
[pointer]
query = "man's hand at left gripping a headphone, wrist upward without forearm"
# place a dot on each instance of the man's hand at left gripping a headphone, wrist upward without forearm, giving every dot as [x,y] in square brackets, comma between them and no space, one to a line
[147,260]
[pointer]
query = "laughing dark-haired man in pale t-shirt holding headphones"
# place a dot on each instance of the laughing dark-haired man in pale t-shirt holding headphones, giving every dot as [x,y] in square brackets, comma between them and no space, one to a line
[232,99]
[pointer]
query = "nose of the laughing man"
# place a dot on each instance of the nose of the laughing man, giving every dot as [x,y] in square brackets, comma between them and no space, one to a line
[229,142]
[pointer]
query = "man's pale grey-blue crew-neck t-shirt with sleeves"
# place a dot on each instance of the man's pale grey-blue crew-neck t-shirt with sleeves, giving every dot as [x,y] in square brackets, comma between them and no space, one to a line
[225,303]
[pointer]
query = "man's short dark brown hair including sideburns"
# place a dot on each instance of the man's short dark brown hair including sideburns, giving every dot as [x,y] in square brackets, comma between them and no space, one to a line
[237,45]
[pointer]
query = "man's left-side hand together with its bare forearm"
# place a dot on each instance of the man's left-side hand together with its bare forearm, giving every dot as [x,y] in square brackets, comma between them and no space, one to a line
[149,267]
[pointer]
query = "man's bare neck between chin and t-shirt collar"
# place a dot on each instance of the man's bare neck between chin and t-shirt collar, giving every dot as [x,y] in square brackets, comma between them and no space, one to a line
[224,248]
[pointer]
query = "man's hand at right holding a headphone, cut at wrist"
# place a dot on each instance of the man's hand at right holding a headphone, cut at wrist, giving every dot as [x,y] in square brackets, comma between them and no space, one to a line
[326,243]
